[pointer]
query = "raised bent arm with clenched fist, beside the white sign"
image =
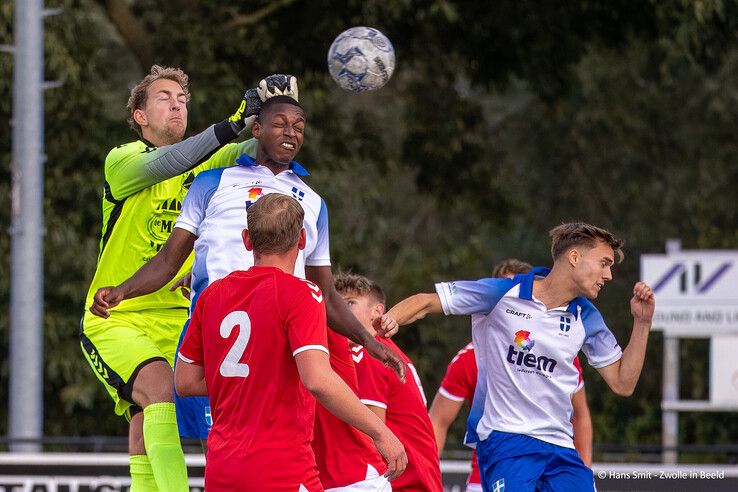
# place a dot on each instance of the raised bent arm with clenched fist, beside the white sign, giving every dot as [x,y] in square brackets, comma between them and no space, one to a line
[622,376]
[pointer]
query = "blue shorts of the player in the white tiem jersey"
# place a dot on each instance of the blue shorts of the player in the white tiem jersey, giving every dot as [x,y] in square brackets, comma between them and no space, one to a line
[519,463]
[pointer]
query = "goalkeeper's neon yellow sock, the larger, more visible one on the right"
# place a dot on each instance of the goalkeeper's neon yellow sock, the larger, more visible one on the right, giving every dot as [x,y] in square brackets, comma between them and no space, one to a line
[161,438]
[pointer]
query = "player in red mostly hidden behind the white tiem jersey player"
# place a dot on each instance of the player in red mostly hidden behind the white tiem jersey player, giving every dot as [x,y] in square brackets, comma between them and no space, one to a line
[460,381]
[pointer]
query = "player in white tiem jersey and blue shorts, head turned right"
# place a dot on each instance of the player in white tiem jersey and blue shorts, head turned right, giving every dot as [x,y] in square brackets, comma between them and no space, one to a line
[527,331]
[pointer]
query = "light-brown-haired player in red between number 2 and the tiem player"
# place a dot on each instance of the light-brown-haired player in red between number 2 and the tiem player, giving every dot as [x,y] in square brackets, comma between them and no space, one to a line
[401,406]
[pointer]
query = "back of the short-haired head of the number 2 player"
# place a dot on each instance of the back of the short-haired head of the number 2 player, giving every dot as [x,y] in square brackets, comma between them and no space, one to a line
[274,224]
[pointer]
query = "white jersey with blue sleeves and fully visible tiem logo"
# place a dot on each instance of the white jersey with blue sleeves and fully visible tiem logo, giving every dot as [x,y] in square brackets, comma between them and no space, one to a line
[525,355]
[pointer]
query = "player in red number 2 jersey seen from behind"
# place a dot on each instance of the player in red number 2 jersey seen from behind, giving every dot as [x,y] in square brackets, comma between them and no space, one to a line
[257,345]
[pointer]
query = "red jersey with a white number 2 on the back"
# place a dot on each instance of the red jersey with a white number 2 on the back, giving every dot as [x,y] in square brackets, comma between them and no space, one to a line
[245,331]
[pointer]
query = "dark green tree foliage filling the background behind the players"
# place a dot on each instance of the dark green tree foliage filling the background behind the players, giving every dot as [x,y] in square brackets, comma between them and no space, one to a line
[502,119]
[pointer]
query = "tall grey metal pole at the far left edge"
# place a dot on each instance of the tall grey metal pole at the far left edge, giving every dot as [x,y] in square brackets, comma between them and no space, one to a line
[25,406]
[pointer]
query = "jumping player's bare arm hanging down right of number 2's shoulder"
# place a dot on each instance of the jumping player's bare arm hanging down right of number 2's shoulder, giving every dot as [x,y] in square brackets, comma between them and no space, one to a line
[342,320]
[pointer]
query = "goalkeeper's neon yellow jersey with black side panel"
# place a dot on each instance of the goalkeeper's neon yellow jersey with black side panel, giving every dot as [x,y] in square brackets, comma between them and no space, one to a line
[138,213]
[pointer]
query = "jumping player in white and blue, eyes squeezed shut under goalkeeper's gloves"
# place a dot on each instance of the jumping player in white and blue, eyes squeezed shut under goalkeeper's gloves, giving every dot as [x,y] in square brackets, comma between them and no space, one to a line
[212,219]
